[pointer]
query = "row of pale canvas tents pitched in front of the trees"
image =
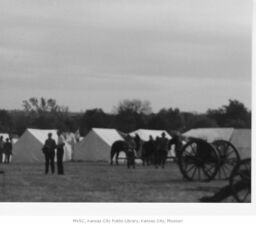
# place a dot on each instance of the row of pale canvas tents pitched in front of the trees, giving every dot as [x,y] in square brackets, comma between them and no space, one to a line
[97,144]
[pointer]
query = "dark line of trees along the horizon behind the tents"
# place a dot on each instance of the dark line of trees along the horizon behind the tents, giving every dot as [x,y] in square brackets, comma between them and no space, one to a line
[127,116]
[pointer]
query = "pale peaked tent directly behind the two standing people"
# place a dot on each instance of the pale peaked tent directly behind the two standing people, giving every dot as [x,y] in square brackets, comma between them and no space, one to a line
[29,146]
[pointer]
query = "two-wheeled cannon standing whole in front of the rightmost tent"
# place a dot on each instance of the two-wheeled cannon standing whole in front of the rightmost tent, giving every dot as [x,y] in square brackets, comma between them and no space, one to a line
[203,161]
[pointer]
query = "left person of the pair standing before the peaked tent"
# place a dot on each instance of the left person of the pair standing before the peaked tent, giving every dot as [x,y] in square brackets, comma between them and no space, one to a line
[49,152]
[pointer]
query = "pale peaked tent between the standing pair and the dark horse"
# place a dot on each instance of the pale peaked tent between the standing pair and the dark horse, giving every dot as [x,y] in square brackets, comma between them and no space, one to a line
[96,145]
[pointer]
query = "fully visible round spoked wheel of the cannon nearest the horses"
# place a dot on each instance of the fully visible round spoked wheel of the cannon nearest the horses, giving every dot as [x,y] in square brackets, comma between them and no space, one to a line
[198,160]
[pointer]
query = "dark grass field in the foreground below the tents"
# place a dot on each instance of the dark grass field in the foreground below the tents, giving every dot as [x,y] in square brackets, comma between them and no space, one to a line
[99,182]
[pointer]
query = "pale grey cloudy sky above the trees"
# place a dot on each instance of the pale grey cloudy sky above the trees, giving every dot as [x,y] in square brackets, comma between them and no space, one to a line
[193,55]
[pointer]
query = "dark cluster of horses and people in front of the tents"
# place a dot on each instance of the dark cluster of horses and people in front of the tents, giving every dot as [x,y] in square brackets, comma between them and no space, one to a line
[151,152]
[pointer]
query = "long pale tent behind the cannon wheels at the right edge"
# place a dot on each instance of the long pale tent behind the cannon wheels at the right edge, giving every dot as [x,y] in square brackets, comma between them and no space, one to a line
[240,138]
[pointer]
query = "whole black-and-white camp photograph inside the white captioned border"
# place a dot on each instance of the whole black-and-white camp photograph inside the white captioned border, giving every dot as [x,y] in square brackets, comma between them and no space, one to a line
[125,101]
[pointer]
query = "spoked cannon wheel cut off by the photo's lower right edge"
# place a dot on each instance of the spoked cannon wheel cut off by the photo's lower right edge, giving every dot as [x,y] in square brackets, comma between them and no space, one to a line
[240,181]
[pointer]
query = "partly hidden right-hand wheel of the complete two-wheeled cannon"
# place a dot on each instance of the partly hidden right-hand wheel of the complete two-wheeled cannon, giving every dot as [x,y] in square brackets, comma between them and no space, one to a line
[228,158]
